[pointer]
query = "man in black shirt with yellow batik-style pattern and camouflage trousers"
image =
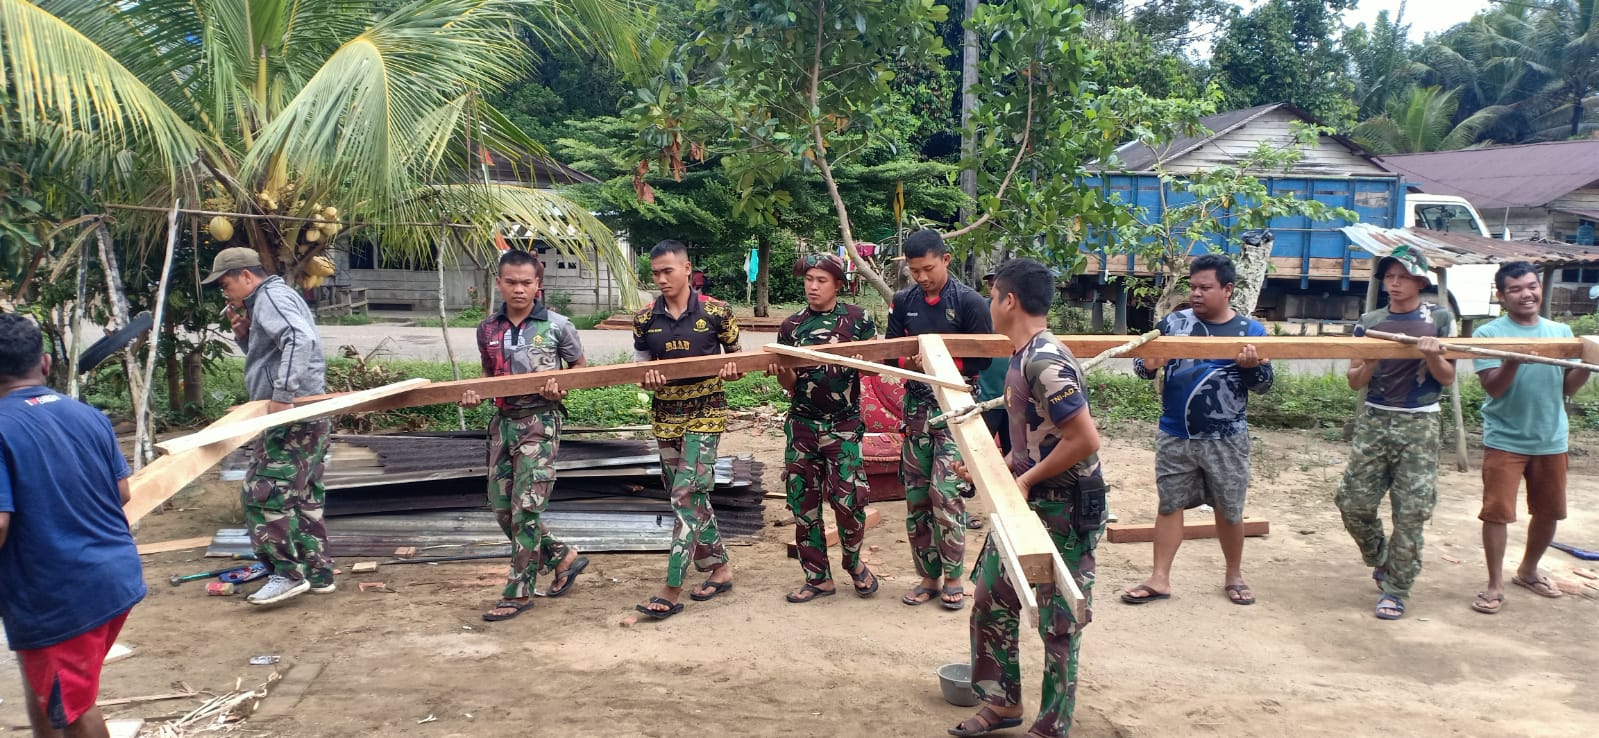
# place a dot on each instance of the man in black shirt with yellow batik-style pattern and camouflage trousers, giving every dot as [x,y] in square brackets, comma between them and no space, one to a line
[688,418]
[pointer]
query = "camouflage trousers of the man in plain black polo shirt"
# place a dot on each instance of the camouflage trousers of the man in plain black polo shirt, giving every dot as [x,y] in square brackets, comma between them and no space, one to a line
[935,510]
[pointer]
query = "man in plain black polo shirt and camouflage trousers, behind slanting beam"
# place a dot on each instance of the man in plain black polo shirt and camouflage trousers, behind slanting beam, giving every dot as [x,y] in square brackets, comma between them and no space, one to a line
[935,512]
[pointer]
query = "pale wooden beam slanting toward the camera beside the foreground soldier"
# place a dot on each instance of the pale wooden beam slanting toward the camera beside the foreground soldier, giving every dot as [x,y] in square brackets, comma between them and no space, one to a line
[1029,541]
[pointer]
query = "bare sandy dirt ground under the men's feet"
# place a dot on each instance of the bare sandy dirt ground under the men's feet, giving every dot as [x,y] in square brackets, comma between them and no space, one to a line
[1307,661]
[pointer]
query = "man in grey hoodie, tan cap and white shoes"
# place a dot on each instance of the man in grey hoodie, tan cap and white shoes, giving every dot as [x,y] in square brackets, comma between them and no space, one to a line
[284,491]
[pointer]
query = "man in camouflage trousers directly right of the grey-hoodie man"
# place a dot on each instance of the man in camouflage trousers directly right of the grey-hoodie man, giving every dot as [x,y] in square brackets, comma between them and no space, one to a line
[525,336]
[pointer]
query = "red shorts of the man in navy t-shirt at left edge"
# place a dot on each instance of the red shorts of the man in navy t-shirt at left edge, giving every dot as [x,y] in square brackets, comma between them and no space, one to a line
[65,678]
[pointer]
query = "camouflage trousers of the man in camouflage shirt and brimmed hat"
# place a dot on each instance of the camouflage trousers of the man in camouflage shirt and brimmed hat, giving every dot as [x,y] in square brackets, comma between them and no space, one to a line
[823,462]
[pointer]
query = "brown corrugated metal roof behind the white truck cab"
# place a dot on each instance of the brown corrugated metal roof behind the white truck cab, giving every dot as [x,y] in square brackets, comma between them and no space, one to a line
[1505,177]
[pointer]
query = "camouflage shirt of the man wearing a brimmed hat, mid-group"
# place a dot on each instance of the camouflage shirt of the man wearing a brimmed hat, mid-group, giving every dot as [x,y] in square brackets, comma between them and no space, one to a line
[827,392]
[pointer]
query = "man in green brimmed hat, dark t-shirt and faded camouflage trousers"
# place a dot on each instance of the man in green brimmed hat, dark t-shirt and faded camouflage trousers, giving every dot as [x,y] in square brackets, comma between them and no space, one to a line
[1395,446]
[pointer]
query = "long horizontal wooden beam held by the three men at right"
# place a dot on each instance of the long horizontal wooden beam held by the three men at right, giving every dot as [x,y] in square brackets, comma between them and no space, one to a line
[1307,347]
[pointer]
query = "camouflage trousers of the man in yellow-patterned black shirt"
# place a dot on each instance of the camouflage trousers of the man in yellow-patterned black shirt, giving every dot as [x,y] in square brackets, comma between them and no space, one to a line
[688,467]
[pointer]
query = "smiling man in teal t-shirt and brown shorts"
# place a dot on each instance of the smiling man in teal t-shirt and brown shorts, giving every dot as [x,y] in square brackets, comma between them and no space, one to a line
[1523,437]
